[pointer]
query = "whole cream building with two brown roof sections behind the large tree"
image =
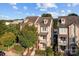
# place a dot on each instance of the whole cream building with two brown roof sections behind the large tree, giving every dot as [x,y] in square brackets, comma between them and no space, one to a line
[44,29]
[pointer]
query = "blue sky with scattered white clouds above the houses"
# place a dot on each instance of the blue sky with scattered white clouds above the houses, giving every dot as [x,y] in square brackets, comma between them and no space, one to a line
[22,10]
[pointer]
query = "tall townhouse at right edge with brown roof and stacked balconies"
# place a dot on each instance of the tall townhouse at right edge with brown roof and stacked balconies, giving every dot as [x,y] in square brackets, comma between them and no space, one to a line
[68,36]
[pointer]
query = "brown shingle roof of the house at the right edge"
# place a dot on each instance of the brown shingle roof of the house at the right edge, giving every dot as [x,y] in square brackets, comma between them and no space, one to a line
[69,20]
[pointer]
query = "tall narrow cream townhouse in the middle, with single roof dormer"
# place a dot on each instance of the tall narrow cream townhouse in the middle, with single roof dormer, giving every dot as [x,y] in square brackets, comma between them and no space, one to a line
[44,29]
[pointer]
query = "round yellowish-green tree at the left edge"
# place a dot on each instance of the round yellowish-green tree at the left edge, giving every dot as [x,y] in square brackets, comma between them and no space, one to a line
[7,39]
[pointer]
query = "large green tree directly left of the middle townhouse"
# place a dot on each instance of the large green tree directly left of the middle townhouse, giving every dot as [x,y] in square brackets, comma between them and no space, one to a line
[28,36]
